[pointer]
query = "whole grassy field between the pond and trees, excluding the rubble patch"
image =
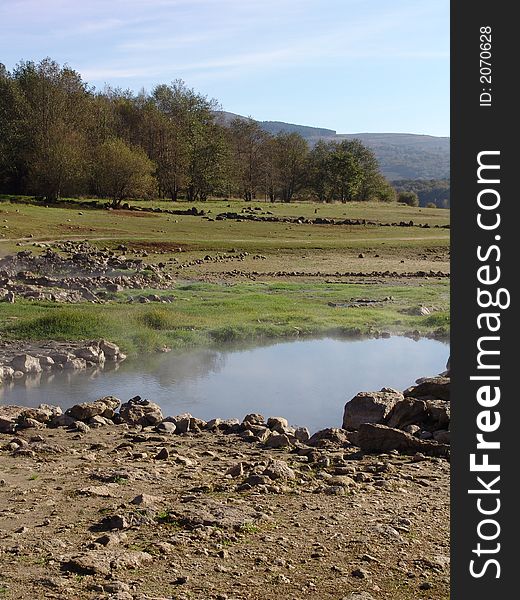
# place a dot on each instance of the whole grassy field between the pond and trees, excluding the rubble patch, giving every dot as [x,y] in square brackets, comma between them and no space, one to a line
[236,297]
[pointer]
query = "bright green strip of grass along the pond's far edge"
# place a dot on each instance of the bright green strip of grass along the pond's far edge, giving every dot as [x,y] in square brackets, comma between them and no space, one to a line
[206,313]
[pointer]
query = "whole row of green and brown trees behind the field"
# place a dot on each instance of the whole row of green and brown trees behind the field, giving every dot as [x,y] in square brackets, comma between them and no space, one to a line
[60,137]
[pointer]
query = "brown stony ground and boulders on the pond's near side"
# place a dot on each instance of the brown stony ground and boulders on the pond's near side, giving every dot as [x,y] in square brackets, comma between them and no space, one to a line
[116,501]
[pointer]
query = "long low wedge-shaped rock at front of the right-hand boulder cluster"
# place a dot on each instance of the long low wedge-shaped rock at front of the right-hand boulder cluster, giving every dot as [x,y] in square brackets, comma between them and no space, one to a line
[380,438]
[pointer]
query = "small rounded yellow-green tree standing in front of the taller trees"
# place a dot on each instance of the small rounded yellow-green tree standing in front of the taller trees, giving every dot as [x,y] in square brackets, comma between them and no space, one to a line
[122,171]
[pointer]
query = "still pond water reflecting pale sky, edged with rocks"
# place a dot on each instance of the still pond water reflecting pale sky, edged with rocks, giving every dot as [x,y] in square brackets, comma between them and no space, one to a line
[306,381]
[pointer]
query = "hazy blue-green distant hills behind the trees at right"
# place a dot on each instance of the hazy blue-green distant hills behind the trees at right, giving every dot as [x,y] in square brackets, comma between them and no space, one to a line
[400,155]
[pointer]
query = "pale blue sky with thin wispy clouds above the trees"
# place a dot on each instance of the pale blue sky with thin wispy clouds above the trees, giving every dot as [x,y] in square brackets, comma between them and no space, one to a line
[349,65]
